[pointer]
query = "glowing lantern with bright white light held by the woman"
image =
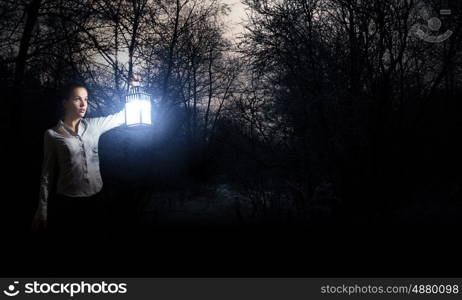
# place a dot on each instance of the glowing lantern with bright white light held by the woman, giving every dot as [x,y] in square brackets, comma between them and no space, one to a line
[137,106]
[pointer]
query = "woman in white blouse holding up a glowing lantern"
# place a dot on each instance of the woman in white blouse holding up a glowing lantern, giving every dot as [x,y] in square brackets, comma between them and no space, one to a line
[70,187]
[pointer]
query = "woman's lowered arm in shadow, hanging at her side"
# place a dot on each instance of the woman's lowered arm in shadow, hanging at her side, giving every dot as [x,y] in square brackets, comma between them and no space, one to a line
[47,177]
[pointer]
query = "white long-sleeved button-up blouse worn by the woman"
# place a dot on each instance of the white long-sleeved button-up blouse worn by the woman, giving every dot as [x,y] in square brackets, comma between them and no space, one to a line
[71,161]
